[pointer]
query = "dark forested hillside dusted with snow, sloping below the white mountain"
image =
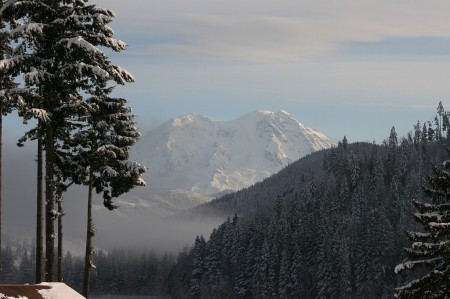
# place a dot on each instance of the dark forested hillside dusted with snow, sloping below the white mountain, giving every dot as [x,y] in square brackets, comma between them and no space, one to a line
[328,226]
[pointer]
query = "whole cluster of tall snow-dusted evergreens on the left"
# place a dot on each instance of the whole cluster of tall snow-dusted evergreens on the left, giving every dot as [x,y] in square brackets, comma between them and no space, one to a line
[56,76]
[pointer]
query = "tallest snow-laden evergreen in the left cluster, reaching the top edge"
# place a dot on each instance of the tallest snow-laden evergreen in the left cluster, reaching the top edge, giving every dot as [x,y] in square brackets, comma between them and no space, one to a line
[62,64]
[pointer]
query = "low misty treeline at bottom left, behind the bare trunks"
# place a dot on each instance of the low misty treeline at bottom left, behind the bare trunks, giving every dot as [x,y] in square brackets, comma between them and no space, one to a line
[117,272]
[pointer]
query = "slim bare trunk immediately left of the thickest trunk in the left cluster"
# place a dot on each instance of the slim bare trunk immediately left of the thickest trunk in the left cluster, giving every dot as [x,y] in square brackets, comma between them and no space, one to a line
[39,215]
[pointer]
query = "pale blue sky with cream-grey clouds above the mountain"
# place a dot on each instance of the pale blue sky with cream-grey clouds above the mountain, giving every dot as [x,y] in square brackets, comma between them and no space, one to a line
[350,68]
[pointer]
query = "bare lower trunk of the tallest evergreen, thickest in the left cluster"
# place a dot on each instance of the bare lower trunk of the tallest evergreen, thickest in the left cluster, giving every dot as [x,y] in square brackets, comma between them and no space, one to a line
[50,212]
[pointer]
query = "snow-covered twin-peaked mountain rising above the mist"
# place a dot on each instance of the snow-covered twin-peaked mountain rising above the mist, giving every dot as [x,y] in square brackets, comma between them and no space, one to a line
[195,154]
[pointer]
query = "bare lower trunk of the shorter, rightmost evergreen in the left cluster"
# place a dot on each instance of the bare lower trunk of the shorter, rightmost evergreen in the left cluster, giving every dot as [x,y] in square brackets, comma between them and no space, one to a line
[88,260]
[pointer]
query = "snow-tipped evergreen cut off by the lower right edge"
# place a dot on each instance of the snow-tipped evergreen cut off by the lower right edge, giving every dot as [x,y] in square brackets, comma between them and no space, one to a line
[430,249]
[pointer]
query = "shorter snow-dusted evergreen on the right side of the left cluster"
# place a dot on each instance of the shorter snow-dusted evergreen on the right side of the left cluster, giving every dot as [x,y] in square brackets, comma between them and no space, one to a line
[104,150]
